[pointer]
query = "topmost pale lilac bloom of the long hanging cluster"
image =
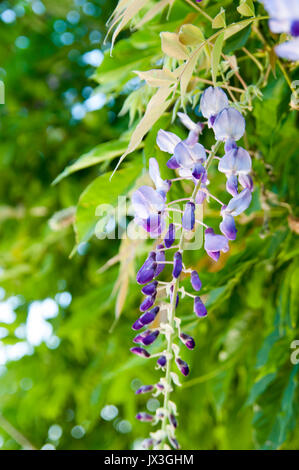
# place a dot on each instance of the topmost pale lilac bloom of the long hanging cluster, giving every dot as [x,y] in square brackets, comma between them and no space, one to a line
[213,101]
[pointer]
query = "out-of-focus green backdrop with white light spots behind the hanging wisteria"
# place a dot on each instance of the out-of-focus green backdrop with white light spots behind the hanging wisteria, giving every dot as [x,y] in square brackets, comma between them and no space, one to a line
[65,381]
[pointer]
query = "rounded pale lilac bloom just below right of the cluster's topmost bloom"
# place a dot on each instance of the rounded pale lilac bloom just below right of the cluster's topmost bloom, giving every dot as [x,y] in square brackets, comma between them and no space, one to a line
[229,124]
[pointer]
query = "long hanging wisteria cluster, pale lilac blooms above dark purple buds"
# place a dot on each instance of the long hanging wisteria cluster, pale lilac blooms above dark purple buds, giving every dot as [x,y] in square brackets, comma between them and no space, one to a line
[191,161]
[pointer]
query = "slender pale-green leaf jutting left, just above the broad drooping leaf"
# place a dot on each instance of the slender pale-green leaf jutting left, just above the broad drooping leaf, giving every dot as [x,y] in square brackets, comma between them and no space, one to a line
[101,153]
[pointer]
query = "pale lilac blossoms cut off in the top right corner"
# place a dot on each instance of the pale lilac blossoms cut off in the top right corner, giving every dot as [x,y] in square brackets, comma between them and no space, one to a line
[284,18]
